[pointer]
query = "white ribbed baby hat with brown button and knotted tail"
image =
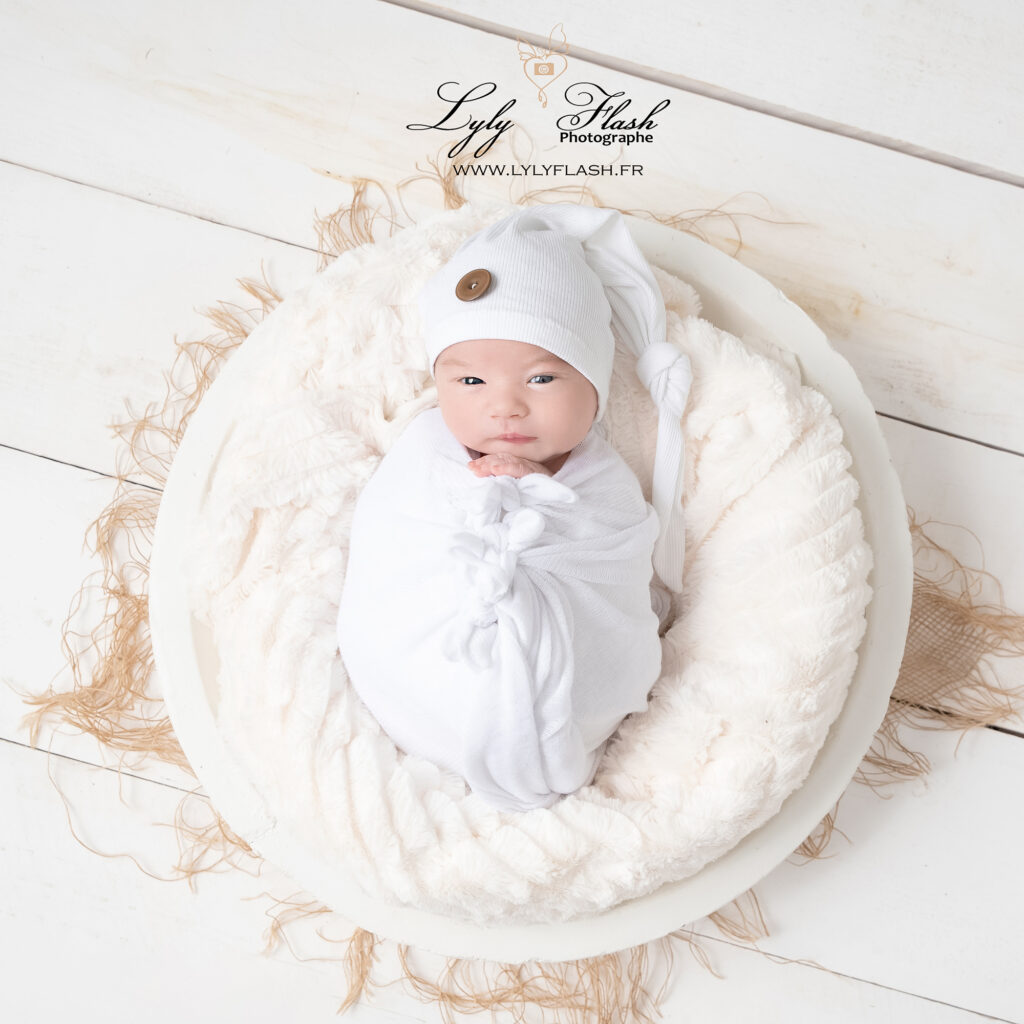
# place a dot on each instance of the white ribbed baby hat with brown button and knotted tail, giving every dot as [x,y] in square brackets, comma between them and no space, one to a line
[564,278]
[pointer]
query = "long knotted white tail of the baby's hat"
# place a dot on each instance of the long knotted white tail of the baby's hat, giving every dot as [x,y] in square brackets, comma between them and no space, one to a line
[639,323]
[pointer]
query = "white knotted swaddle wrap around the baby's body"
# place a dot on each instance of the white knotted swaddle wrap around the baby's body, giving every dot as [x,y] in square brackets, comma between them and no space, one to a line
[501,627]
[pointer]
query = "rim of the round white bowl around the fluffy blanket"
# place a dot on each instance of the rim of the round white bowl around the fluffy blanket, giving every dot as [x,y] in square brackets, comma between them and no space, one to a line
[738,301]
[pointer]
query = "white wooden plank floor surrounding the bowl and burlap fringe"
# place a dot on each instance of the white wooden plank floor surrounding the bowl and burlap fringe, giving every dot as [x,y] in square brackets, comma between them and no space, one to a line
[134,192]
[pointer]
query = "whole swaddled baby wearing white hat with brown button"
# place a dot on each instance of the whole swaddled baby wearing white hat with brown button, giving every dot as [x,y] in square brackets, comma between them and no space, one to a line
[497,615]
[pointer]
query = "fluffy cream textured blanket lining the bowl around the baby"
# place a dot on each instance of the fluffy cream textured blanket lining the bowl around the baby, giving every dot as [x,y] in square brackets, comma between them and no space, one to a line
[757,659]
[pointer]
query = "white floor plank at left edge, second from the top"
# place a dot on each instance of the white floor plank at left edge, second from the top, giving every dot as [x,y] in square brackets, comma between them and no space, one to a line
[103,286]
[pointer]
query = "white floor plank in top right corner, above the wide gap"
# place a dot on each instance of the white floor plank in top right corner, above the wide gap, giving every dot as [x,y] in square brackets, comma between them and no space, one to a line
[941,77]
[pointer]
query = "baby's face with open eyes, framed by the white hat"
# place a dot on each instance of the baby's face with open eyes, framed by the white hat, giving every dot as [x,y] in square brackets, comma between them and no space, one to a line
[491,388]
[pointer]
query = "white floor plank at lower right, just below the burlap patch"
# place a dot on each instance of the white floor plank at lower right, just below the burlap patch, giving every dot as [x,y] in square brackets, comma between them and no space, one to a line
[921,895]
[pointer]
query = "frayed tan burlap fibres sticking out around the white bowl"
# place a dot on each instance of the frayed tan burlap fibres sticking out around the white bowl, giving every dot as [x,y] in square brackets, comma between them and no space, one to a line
[946,681]
